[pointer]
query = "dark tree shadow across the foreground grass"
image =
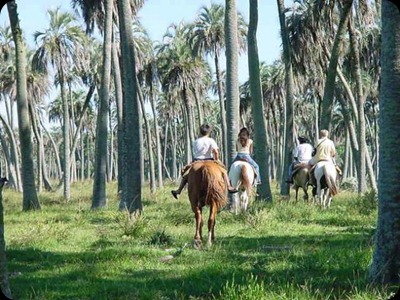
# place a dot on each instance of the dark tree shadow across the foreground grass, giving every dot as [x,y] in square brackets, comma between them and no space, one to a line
[327,263]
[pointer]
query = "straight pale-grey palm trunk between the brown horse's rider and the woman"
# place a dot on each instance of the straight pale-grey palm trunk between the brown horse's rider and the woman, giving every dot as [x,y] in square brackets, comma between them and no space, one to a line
[232,81]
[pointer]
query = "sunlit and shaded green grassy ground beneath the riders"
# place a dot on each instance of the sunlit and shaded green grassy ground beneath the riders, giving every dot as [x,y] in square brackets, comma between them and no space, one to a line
[275,251]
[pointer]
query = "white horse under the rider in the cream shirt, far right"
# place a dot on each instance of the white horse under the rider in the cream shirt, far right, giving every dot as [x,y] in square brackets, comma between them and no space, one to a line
[325,175]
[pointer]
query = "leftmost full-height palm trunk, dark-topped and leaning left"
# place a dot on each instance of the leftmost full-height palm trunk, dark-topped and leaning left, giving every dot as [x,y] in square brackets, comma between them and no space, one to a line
[30,199]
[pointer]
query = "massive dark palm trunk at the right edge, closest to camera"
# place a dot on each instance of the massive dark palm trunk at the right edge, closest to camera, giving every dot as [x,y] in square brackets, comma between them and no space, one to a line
[385,266]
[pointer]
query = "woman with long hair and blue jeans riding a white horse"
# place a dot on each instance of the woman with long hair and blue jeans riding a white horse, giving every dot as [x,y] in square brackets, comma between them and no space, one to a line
[244,148]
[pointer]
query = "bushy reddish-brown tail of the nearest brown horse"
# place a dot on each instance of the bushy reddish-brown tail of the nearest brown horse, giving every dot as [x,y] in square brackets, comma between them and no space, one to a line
[214,184]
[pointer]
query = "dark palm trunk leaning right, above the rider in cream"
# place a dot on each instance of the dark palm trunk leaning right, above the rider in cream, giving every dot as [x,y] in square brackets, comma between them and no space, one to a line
[329,90]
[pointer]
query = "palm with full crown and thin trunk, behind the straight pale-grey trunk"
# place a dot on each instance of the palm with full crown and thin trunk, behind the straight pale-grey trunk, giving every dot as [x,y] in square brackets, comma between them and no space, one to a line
[207,37]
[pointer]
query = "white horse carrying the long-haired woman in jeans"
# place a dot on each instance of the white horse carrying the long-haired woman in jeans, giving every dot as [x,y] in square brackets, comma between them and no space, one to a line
[241,175]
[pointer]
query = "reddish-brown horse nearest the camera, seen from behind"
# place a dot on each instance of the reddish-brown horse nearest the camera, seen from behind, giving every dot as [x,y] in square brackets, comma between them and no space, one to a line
[206,186]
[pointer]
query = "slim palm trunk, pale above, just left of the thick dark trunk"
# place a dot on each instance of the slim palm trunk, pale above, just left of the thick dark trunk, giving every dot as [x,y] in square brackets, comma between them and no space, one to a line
[99,185]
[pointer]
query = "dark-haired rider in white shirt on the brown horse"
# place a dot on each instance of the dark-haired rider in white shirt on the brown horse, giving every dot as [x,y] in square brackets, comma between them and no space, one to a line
[204,148]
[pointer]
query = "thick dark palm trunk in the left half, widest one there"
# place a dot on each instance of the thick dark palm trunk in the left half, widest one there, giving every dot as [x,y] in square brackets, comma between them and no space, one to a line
[132,192]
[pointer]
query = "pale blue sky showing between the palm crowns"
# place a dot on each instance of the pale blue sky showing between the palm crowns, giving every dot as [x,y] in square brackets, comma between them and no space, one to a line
[157,15]
